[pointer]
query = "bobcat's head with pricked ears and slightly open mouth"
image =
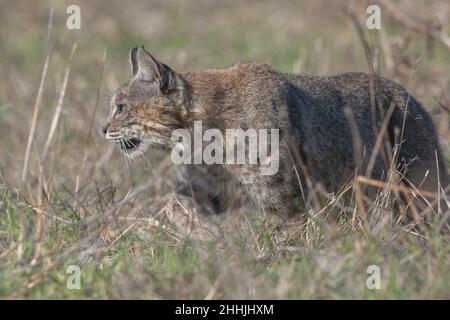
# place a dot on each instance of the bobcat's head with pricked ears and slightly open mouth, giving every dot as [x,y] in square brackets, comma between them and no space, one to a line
[147,108]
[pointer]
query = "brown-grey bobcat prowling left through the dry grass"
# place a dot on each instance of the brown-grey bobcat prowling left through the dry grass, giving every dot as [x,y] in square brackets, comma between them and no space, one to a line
[328,128]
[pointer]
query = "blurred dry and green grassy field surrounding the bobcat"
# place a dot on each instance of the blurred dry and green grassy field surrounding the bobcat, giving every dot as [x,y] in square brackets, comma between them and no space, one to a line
[78,202]
